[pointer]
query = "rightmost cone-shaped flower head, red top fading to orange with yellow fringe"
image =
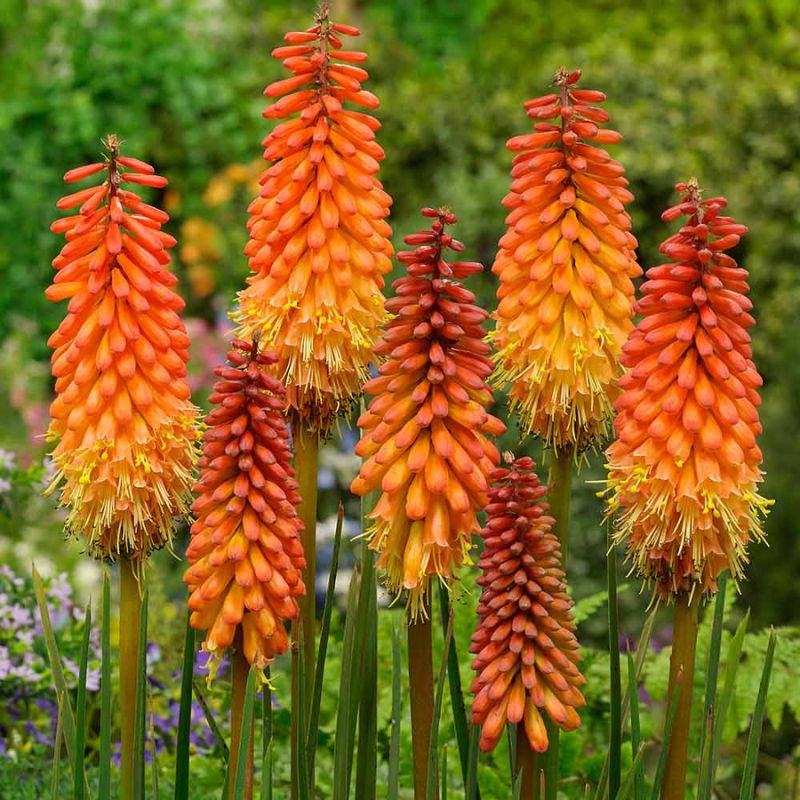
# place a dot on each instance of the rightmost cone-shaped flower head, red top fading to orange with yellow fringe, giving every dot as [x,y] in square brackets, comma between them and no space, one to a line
[684,471]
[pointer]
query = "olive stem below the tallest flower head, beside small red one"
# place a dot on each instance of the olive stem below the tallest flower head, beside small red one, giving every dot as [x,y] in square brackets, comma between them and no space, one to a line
[306,458]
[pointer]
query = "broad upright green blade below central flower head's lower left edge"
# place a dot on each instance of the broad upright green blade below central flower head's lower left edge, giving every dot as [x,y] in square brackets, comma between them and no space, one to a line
[367,754]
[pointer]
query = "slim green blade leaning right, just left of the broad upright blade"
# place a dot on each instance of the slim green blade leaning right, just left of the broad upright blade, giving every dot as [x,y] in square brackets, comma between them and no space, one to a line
[347,710]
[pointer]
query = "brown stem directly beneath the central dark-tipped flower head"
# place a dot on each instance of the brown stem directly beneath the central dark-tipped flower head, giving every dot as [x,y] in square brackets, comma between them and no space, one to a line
[420,676]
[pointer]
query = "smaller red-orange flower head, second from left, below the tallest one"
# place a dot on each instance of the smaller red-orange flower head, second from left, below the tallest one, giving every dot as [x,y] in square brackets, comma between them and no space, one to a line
[245,551]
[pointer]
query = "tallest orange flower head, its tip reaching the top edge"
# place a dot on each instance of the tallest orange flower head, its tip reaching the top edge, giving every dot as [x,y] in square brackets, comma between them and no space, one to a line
[319,241]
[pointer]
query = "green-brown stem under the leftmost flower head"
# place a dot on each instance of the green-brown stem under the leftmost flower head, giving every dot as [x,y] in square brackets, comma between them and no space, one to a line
[130,608]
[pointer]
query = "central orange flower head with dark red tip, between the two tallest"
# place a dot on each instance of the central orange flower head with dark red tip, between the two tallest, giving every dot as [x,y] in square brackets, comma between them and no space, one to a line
[426,432]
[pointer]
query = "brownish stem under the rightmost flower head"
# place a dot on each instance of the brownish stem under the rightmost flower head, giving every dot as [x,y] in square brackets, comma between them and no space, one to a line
[681,666]
